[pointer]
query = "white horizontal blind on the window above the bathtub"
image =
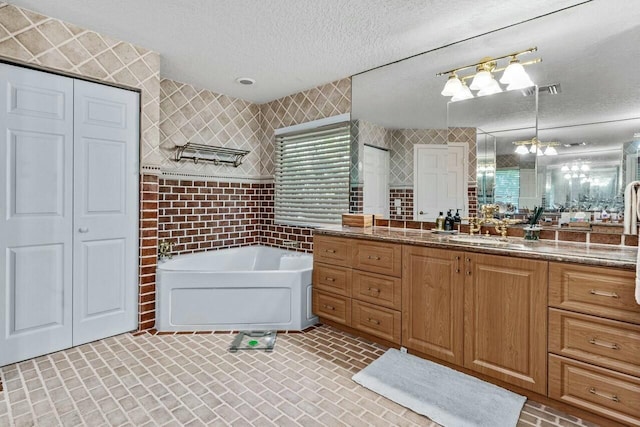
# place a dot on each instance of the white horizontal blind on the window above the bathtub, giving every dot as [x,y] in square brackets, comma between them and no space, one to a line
[312,175]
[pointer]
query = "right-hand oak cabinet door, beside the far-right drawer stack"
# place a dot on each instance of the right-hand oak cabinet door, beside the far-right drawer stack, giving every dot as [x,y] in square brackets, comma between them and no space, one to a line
[505,320]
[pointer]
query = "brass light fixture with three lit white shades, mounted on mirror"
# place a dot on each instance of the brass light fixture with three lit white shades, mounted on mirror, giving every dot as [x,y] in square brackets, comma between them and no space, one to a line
[514,76]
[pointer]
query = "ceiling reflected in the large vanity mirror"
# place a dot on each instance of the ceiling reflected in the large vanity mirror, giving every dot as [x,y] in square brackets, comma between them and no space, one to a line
[591,50]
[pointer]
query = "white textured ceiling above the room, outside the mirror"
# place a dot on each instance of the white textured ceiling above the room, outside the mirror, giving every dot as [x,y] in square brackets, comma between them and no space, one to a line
[287,45]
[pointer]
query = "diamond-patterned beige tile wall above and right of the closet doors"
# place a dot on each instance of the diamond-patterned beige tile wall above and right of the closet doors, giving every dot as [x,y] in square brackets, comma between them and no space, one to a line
[36,39]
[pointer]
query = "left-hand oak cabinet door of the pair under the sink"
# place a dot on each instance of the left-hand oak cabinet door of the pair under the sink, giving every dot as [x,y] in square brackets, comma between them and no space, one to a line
[432,302]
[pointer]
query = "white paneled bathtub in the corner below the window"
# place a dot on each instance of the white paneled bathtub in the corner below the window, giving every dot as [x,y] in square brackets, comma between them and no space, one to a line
[248,288]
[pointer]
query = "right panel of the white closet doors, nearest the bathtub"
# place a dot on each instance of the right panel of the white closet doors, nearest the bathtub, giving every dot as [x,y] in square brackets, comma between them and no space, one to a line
[105,225]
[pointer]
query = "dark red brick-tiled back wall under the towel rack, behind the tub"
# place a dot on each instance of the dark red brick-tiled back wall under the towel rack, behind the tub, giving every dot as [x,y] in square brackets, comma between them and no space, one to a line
[200,215]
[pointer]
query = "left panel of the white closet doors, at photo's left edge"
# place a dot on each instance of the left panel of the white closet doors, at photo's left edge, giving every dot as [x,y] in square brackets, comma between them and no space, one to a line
[36,160]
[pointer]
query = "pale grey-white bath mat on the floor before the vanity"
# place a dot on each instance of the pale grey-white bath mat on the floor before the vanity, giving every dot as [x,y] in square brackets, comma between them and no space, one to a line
[448,397]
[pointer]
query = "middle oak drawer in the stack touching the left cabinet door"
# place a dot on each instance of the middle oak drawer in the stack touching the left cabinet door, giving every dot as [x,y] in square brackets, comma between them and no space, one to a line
[377,289]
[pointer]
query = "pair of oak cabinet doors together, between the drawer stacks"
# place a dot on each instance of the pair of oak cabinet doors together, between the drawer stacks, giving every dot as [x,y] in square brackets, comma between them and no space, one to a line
[484,312]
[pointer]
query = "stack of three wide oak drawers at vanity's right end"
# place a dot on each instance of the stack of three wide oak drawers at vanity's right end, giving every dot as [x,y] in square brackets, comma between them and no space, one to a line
[594,340]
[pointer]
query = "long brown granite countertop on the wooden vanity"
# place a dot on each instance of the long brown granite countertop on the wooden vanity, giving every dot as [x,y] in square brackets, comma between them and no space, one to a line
[551,250]
